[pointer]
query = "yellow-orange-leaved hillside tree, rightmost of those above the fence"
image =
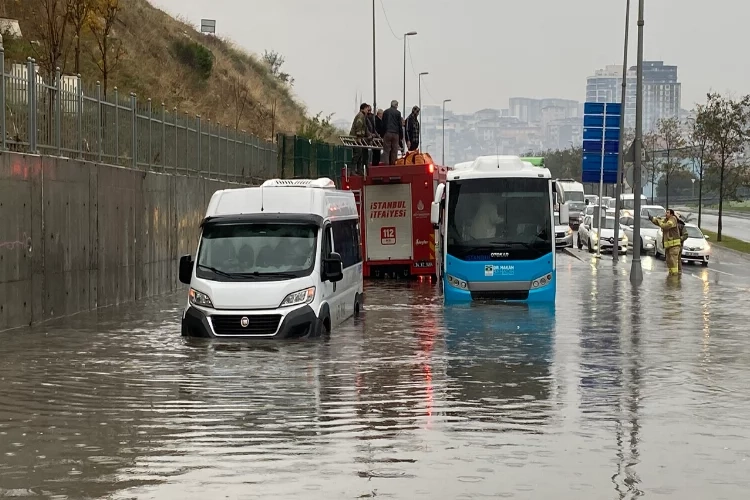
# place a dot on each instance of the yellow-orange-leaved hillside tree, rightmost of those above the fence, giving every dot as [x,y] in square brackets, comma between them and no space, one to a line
[109,49]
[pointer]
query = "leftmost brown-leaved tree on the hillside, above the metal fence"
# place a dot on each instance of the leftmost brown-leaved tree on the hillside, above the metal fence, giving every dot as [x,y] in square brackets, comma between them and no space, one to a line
[49,25]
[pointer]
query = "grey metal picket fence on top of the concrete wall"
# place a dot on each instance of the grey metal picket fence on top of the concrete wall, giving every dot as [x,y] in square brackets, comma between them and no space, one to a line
[64,117]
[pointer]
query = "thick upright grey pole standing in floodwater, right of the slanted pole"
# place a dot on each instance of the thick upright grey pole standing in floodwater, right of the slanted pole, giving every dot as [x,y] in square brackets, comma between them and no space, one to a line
[636,271]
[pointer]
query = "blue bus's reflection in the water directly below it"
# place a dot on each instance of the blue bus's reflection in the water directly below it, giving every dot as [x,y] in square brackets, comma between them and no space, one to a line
[499,360]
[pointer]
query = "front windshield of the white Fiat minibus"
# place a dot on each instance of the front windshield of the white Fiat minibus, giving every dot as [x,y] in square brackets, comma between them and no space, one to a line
[256,251]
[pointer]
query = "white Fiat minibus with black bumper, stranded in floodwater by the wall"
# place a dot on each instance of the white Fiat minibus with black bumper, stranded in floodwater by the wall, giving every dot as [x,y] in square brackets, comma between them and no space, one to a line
[282,260]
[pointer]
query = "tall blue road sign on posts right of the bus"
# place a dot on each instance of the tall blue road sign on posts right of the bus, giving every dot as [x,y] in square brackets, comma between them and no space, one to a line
[601,150]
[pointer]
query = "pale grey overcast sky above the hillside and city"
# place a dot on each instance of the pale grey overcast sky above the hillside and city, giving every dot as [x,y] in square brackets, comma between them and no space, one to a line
[479,52]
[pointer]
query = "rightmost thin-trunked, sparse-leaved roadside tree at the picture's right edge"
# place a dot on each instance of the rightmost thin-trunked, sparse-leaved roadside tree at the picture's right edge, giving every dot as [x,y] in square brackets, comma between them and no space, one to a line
[725,123]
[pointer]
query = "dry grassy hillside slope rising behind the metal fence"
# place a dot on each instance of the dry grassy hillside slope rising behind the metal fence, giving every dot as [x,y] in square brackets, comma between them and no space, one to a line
[168,60]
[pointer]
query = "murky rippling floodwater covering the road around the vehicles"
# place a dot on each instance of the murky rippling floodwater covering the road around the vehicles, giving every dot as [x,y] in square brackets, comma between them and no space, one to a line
[614,395]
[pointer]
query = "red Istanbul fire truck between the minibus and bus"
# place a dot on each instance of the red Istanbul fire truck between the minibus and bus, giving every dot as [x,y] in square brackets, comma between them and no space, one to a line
[398,239]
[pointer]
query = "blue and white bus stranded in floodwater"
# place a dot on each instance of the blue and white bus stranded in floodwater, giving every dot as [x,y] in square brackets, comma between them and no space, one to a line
[496,237]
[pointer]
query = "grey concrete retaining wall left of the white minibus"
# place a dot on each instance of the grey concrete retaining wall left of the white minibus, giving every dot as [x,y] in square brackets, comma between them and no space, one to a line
[75,236]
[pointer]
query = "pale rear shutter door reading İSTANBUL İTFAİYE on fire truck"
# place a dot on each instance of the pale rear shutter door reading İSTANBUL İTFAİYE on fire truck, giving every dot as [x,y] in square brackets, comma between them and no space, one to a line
[389,227]
